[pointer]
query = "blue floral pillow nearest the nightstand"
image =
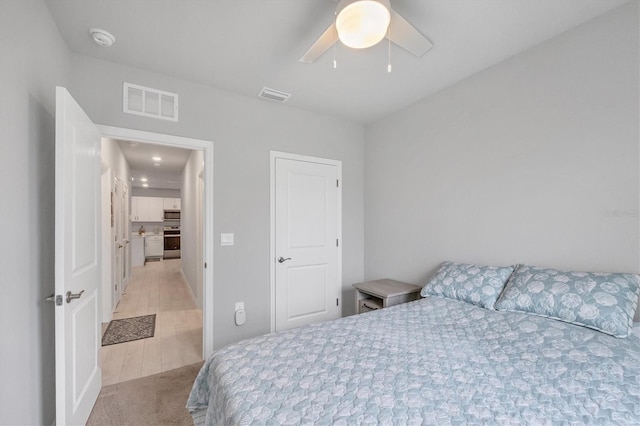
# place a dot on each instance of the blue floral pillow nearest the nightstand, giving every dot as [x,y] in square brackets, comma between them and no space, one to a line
[479,285]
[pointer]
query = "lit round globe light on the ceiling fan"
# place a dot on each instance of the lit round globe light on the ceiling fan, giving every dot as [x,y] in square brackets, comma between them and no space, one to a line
[362,23]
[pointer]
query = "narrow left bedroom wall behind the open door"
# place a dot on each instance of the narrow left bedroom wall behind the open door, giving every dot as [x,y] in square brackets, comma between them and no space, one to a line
[33,60]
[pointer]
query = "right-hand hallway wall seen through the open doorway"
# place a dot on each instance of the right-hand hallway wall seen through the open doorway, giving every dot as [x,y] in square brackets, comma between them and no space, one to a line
[191,222]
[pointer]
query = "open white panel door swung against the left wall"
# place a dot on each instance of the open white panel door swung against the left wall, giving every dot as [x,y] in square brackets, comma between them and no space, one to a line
[77,262]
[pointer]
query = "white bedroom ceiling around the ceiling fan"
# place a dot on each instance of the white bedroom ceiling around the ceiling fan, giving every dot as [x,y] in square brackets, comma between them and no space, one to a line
[243,45]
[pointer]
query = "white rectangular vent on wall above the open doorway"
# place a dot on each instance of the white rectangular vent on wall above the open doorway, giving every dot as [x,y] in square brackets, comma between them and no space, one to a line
[149,102]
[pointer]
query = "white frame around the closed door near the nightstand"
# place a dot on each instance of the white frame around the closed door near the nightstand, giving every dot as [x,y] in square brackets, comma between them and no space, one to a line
[272,230]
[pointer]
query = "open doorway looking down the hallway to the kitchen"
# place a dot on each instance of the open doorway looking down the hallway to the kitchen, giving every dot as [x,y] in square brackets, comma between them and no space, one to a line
[157,283]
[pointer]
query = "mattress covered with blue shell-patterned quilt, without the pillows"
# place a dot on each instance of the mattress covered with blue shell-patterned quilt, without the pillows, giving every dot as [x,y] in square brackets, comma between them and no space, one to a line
[432,361]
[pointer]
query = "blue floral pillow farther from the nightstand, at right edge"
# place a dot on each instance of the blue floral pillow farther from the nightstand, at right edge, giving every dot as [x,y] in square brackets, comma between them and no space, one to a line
[603,301]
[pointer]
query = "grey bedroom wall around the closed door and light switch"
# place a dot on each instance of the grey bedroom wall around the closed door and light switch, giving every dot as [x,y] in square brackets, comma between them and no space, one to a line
[243,130]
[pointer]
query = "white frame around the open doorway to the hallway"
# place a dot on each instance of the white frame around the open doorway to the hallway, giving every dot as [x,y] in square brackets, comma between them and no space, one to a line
[207,214]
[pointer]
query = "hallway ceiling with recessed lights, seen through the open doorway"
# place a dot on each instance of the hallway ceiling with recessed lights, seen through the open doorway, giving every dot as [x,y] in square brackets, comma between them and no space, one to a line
[165,176]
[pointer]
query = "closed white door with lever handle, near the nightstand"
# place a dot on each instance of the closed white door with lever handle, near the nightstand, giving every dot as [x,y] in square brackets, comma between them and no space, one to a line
[307,249]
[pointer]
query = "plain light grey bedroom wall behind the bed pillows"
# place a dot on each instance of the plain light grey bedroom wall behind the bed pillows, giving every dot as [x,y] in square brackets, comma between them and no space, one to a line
[519,163]
